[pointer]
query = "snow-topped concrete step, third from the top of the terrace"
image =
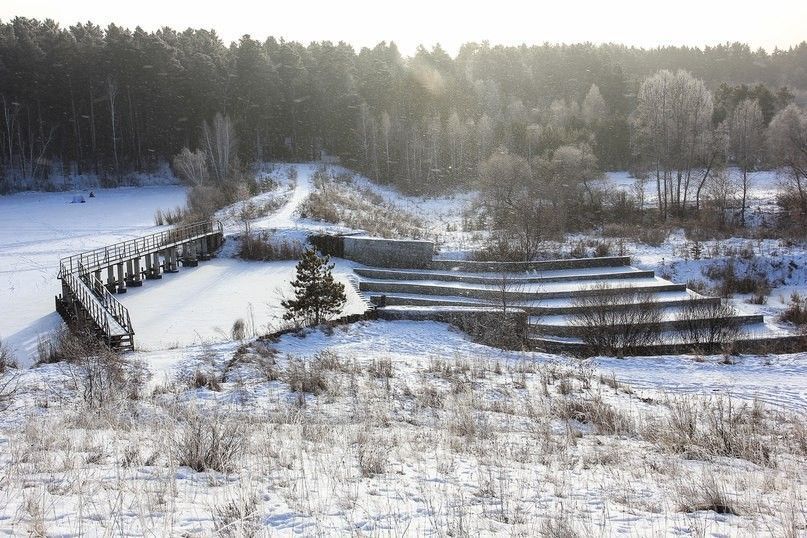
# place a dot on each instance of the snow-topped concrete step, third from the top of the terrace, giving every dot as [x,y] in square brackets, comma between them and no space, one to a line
[523,292]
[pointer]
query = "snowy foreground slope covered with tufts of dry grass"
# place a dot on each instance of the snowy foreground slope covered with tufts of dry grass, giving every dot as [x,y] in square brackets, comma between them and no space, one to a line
[470,444]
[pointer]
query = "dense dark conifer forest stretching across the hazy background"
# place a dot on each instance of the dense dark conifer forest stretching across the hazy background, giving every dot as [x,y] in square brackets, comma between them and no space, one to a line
[111,101]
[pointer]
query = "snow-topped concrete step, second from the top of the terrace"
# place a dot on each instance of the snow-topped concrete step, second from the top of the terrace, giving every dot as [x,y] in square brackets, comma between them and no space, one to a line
[510,279]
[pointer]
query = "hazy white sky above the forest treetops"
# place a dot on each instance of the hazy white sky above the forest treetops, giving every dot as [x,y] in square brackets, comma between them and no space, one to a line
[645,23]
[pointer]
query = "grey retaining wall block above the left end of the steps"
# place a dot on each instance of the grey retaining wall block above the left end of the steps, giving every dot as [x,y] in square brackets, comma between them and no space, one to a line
[388,252]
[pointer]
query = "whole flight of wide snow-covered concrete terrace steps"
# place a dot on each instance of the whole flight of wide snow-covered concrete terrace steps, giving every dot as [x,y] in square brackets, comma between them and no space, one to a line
[550,299]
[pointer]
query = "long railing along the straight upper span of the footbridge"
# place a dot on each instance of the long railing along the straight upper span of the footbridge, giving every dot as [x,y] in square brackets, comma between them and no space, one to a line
[118,252]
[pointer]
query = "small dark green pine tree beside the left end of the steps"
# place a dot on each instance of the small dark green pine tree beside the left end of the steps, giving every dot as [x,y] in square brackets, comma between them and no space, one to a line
[317,295]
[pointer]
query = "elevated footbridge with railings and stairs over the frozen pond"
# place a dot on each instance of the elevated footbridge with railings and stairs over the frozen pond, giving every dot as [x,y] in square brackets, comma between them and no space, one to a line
[87,299]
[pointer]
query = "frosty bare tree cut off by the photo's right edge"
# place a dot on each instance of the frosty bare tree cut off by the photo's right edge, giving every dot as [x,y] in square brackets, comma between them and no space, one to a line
[787,138]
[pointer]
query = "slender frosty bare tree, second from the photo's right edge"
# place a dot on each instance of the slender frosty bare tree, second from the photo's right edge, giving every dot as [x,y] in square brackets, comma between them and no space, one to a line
[746,136]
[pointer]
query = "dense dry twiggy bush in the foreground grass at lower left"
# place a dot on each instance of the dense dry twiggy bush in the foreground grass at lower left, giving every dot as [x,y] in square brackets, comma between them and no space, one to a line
[208,442]
